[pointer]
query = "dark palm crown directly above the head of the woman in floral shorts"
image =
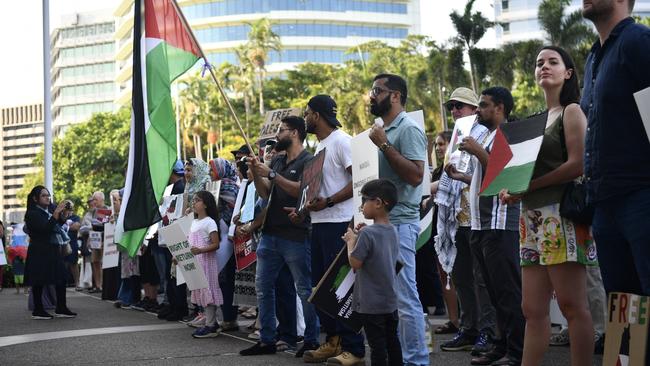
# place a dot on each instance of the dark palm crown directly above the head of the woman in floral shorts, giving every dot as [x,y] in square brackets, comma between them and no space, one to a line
[568,32]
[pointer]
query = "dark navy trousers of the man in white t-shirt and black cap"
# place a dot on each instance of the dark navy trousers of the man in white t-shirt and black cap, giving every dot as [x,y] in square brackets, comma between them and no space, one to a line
[326,243]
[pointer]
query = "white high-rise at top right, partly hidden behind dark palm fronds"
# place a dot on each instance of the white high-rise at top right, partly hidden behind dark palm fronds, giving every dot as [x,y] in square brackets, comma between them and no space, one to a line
[519,22]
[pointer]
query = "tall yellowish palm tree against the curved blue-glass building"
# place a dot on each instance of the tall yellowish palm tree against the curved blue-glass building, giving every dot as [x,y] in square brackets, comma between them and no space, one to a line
[261,40]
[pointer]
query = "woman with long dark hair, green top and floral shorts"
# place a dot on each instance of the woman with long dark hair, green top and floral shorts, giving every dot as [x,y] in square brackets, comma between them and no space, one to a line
[554,251]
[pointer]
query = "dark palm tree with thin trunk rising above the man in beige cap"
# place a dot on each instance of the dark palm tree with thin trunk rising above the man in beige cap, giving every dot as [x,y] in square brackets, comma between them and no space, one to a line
[471,27]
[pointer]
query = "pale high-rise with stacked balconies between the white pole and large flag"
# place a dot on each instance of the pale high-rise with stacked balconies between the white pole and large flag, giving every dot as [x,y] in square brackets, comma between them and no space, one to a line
[83,67]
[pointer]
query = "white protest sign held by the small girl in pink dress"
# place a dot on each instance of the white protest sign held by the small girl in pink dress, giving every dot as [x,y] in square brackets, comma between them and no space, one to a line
[176,236]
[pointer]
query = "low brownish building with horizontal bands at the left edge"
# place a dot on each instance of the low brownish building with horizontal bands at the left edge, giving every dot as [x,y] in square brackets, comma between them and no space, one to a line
[21,138]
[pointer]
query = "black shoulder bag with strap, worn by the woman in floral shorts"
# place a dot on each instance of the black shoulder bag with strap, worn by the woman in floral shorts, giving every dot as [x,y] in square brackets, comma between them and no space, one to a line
[574,205]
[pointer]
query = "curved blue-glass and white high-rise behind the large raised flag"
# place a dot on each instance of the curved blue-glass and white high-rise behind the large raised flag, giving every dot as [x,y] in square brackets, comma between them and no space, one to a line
[310,30]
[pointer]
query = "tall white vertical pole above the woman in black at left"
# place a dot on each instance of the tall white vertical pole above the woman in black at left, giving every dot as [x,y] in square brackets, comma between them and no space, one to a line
[47,97]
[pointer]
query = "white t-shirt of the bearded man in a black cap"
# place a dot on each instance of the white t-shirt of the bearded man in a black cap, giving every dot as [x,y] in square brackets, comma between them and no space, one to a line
[338,157]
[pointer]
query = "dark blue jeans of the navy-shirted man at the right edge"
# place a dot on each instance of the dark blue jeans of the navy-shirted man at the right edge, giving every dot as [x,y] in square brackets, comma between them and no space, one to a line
[622,233]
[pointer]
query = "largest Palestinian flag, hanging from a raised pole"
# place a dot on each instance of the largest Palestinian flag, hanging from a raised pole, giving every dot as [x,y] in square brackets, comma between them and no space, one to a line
[162,51]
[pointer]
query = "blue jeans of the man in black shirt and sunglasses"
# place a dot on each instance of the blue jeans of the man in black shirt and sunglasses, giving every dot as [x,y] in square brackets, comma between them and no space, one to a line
[272,254]
